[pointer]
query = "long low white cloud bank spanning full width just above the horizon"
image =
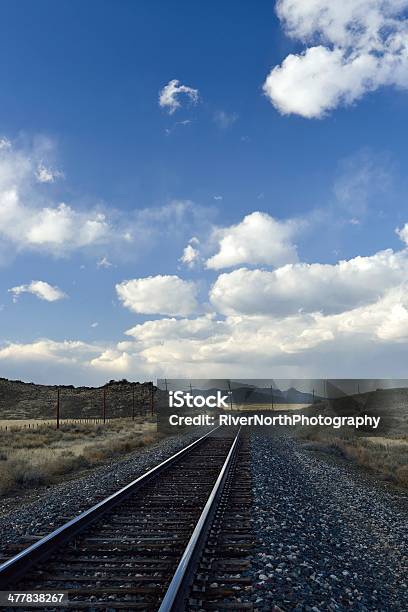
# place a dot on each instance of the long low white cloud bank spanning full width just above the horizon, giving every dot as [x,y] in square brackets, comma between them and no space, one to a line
[297,345]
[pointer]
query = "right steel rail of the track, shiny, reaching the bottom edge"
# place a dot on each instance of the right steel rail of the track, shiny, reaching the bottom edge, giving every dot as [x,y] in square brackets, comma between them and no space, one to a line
[177,592]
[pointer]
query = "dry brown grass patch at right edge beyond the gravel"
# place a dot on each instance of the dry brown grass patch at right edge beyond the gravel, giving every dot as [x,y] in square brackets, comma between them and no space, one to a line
[387,457]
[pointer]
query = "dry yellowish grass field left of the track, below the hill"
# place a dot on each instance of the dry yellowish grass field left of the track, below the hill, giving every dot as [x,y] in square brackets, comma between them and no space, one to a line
[35,457]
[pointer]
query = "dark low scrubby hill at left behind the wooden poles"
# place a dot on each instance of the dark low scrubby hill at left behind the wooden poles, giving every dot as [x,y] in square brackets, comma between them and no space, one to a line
[20,400]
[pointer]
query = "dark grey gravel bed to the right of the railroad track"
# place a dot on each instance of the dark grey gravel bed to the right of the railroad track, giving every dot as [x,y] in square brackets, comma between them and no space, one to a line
[327,541]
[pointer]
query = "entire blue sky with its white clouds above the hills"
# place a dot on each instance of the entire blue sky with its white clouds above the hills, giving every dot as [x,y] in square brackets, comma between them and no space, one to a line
[313,158]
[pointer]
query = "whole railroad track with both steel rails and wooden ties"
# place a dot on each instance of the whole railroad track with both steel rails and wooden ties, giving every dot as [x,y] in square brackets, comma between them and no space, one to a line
[177,538]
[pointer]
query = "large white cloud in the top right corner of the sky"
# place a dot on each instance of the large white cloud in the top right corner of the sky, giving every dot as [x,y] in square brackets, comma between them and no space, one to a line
[355,46]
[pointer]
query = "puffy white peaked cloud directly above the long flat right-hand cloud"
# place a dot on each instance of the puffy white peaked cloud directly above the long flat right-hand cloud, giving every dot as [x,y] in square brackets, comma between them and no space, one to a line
[257,239]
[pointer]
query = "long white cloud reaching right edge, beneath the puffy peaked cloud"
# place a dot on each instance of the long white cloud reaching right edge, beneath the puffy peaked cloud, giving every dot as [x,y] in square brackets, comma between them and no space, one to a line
[309,287]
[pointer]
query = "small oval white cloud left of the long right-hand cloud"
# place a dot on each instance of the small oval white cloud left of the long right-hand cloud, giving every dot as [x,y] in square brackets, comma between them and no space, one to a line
[168,295]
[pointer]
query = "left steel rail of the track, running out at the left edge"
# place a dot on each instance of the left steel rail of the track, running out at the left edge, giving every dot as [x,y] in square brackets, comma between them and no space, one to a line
[15,567]
